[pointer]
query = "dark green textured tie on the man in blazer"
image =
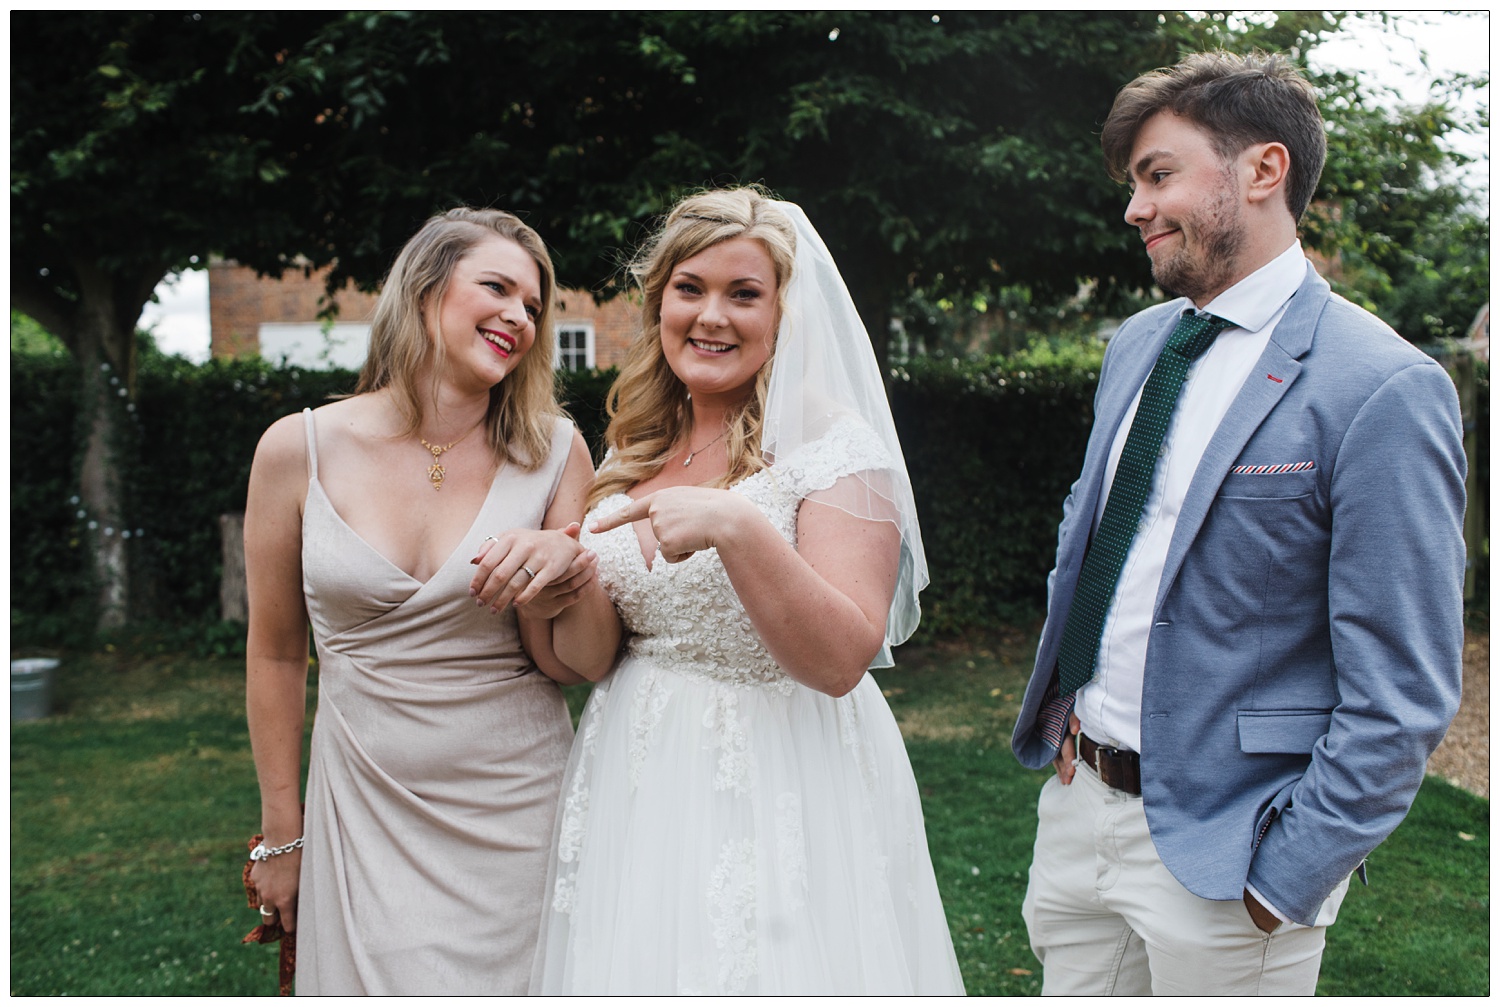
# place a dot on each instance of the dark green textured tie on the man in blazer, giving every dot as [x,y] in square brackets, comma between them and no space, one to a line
[1102,568]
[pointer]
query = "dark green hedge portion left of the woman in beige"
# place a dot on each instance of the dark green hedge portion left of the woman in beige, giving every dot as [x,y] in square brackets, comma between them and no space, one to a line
[191,436]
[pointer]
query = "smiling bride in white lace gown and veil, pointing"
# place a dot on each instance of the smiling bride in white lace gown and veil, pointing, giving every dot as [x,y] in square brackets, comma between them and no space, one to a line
[739,813]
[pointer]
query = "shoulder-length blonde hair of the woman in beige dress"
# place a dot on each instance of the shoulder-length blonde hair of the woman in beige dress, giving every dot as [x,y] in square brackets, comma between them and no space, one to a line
[523,409]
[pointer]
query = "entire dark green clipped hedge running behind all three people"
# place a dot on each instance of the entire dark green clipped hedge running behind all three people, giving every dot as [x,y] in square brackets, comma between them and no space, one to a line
[992,448]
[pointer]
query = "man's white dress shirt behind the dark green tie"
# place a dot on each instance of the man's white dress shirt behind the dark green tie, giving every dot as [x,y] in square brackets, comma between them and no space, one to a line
[1109,705]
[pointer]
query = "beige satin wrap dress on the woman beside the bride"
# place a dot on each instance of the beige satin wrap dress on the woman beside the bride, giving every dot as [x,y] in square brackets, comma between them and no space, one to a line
[437,757]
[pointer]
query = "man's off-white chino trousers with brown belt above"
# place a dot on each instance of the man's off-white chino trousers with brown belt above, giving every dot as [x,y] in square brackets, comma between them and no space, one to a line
[1106,918]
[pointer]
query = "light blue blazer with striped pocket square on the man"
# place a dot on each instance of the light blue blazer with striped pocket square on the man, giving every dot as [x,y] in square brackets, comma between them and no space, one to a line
[1306,657]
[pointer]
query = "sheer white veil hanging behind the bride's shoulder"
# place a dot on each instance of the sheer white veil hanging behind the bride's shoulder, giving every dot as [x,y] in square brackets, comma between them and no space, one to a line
[826,370]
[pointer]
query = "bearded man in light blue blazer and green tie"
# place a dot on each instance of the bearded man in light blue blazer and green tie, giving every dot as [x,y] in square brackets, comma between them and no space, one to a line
[1259,576]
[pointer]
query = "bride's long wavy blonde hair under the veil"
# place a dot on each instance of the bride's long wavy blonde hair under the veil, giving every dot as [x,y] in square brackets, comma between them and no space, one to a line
[649,406]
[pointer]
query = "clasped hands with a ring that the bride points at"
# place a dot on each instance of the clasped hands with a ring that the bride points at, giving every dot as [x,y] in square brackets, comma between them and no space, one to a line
[541,573]
